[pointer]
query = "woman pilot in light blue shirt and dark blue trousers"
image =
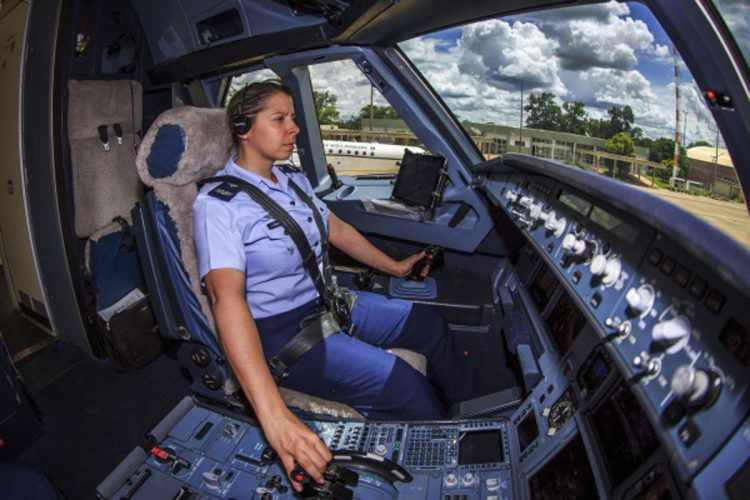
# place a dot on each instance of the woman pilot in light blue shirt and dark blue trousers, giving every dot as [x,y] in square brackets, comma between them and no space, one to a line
[260,291]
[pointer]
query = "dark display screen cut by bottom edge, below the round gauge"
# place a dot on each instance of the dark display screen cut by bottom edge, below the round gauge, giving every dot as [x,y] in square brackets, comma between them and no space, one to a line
[567,476]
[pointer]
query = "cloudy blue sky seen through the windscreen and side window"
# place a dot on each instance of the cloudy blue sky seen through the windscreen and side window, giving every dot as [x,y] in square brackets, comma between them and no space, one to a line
[479,75]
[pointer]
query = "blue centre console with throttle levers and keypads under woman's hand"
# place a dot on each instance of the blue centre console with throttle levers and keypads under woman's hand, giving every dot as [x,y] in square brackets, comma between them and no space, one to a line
[200,452]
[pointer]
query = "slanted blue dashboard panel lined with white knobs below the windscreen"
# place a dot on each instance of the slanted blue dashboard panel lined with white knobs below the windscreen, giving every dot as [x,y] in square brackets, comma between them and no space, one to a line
[676,331]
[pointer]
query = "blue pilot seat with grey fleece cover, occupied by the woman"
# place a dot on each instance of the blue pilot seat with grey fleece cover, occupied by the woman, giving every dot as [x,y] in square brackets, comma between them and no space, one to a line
[183,146]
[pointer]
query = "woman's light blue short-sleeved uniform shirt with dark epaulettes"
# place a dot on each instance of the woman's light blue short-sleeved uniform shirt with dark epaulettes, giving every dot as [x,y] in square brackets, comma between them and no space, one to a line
[239,234]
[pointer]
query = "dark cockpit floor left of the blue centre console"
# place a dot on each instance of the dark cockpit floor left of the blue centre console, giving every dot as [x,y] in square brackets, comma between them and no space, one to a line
[94,415]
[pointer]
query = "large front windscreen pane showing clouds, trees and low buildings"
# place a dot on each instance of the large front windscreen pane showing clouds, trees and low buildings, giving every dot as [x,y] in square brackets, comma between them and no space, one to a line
[596,87]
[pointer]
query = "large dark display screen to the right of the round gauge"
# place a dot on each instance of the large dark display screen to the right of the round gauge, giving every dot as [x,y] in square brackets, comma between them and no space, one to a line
[625,435]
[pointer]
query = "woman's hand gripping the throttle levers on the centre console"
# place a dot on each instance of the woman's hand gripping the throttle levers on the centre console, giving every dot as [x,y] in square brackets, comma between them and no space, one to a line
[295,443]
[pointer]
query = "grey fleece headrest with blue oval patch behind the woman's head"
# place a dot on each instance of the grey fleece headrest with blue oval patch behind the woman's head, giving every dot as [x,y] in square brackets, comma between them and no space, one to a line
[184,145]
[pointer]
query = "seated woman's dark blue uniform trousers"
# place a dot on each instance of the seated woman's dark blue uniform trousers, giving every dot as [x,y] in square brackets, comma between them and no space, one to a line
[357,370]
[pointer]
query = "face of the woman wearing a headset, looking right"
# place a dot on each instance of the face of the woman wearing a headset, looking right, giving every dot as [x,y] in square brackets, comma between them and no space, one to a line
[274,130]
